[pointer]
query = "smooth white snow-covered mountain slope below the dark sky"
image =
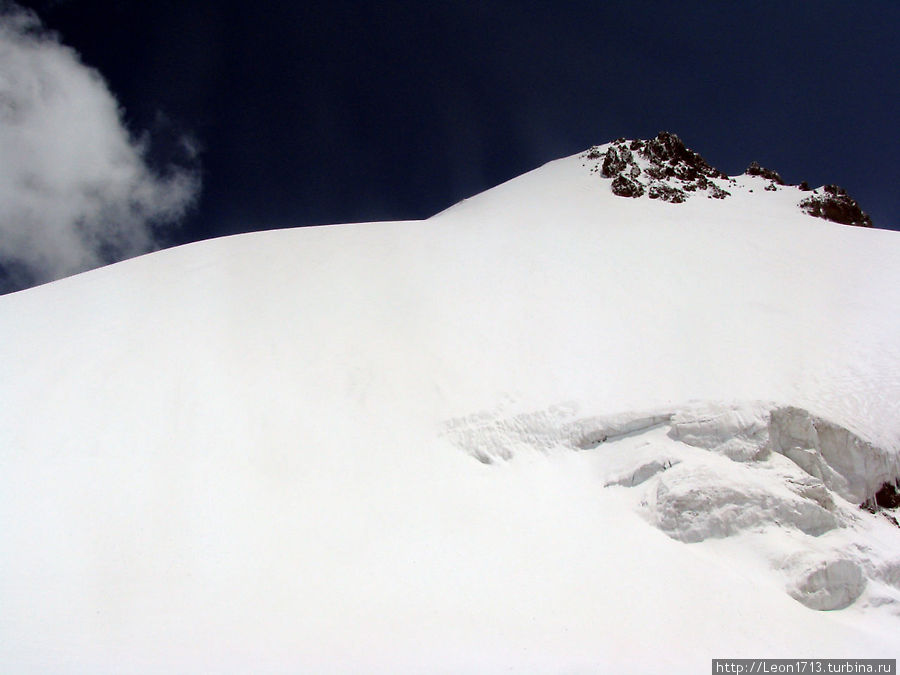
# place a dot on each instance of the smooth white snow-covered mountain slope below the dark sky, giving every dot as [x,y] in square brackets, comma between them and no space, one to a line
[549,429]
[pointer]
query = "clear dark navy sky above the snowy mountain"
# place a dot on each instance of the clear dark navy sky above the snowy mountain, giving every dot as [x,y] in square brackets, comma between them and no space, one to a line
[310,113]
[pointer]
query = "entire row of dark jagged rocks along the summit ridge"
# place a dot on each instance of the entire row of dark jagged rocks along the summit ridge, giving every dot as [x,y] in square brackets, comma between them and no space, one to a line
[664,168]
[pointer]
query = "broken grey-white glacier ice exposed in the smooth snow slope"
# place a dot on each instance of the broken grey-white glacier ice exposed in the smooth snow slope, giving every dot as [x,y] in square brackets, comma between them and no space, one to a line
[711,471]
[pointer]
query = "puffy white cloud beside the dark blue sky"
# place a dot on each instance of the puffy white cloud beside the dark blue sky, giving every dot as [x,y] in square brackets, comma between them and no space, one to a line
[75,189]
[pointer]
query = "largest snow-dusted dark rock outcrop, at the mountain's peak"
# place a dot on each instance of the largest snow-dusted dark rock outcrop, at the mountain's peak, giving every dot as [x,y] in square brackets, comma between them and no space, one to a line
[662,167]
